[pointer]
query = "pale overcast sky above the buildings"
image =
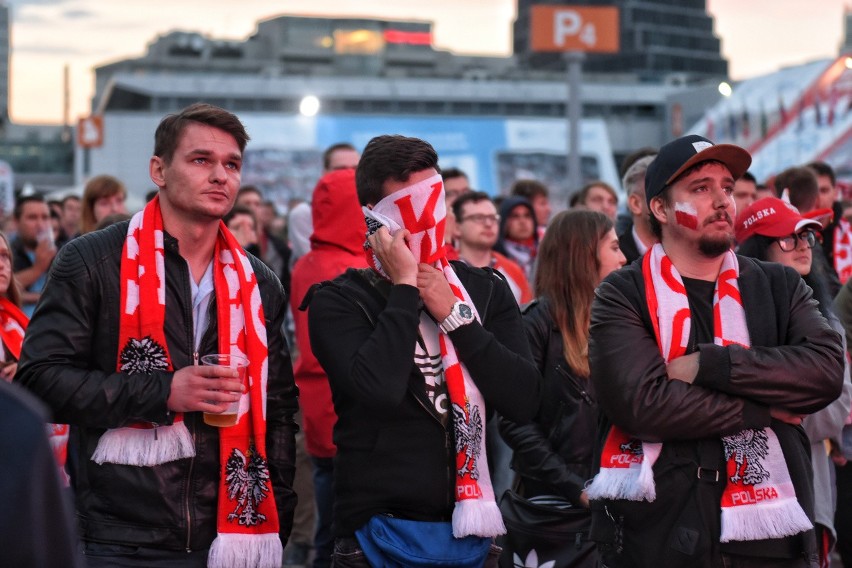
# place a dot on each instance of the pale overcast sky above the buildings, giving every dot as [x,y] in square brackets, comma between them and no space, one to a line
[758,36]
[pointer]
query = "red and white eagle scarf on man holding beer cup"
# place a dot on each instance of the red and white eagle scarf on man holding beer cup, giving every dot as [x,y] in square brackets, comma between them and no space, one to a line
[247,518]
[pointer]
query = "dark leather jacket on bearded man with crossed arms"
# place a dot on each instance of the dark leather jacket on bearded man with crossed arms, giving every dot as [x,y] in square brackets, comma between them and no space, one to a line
[795,362]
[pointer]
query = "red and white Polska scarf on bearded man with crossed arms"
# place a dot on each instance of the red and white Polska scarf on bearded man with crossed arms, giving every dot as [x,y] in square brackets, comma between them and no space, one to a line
[759,501]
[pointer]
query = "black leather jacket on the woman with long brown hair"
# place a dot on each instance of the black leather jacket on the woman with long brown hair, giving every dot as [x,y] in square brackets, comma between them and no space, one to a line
[553,454]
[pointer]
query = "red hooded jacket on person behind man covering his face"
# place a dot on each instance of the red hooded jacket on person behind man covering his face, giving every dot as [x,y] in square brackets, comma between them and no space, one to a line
[336,244]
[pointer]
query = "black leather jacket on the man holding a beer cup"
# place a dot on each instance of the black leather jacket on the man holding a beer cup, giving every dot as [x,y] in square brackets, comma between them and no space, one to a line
[69,360]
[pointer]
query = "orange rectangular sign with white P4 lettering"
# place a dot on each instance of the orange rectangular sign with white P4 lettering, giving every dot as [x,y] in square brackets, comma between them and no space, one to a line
[574,28]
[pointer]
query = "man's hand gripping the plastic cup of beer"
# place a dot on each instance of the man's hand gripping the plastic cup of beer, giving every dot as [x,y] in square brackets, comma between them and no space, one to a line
[205,388]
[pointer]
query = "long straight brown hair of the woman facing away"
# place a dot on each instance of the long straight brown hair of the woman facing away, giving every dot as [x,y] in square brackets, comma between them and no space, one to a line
[567,269]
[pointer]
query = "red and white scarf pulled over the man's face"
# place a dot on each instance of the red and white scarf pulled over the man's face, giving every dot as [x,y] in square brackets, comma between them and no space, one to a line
[421,209]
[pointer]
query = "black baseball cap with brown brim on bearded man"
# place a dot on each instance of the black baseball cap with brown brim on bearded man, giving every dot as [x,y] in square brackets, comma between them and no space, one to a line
[679,155]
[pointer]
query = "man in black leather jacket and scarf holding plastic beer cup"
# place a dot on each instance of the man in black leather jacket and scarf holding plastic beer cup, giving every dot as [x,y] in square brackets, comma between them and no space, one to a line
[115,349]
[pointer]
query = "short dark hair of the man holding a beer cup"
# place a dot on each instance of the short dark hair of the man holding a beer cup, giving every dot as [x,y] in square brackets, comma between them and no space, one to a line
[170,129]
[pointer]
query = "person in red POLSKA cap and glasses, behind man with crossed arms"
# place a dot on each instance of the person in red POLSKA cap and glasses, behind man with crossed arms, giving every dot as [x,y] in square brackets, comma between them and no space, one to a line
[773,230]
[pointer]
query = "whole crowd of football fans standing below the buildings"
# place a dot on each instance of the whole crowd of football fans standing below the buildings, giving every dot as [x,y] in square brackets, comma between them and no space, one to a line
[430,375]
